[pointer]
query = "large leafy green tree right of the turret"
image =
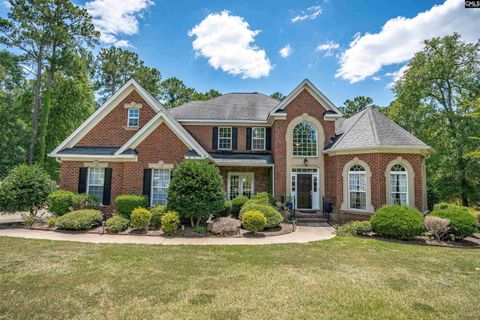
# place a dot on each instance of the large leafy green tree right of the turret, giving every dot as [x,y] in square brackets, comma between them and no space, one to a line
[433,100]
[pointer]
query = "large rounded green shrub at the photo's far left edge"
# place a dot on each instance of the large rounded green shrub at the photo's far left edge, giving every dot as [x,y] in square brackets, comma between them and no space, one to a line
[25,188]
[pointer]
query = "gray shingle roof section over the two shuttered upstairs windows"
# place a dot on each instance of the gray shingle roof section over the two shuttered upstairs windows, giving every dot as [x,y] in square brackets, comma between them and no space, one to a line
[230,106]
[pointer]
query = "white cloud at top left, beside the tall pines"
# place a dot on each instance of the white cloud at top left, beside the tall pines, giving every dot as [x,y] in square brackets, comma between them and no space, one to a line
[114,18]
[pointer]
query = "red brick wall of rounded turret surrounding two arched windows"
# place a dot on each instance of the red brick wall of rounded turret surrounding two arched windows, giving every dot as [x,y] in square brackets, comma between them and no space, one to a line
[378,163]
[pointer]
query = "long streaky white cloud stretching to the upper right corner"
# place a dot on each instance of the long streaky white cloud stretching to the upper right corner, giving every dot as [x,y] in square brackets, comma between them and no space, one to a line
[401,37]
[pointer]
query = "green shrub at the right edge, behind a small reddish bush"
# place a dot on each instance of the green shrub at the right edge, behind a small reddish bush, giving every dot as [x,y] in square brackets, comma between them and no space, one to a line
[462,222]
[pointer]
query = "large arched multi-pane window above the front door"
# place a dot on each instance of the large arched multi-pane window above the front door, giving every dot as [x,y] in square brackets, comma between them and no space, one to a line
[305,140]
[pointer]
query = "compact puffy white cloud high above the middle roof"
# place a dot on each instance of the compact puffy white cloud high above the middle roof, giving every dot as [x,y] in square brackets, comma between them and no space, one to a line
[228,44]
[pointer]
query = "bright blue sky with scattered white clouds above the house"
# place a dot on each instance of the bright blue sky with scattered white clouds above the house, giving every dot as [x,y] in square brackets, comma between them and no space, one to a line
[346,48]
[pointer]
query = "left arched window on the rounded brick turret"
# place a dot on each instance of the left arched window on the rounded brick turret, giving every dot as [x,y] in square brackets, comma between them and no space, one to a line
[357,188]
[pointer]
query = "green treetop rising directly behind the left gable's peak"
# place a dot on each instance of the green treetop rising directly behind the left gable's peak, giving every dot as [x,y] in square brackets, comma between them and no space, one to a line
[115,66]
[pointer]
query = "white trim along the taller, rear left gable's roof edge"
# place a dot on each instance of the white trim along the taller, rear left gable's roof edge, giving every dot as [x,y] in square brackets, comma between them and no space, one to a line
[105,109]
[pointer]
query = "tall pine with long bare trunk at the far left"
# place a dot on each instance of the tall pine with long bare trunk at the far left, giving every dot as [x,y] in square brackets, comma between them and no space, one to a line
[41,30]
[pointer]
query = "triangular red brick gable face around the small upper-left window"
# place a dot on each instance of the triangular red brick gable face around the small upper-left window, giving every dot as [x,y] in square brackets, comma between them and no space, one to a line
[110,132]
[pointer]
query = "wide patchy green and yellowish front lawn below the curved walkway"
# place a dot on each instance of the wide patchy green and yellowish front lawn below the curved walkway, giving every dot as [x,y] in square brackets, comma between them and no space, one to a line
[343,278]
